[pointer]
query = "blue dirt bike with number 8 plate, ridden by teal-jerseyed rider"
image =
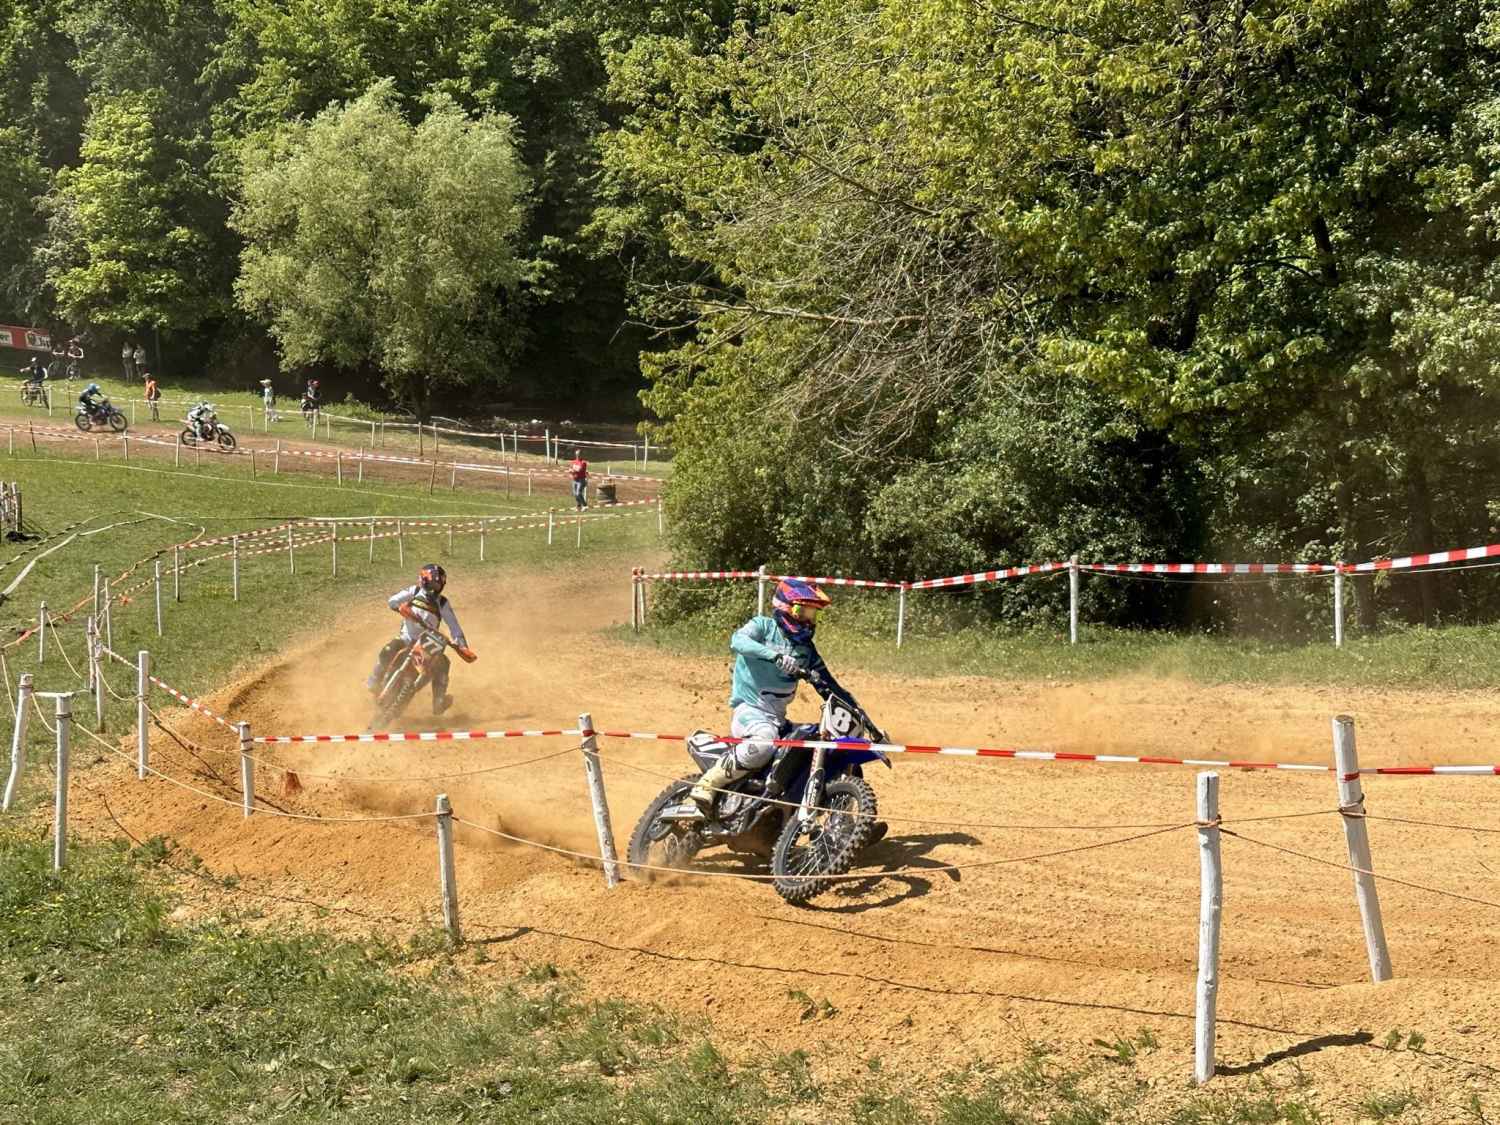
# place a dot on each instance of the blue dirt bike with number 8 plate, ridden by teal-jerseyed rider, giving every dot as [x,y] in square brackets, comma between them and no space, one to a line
[809,811]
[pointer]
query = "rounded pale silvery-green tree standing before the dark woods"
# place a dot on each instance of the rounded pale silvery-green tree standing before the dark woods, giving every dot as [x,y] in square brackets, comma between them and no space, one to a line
[371,242]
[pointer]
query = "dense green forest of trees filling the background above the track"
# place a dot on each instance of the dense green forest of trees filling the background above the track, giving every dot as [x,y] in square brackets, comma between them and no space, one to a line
[910,287]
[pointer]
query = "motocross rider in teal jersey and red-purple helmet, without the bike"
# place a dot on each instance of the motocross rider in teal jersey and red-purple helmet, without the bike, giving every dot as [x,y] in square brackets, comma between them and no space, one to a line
[772,653]
